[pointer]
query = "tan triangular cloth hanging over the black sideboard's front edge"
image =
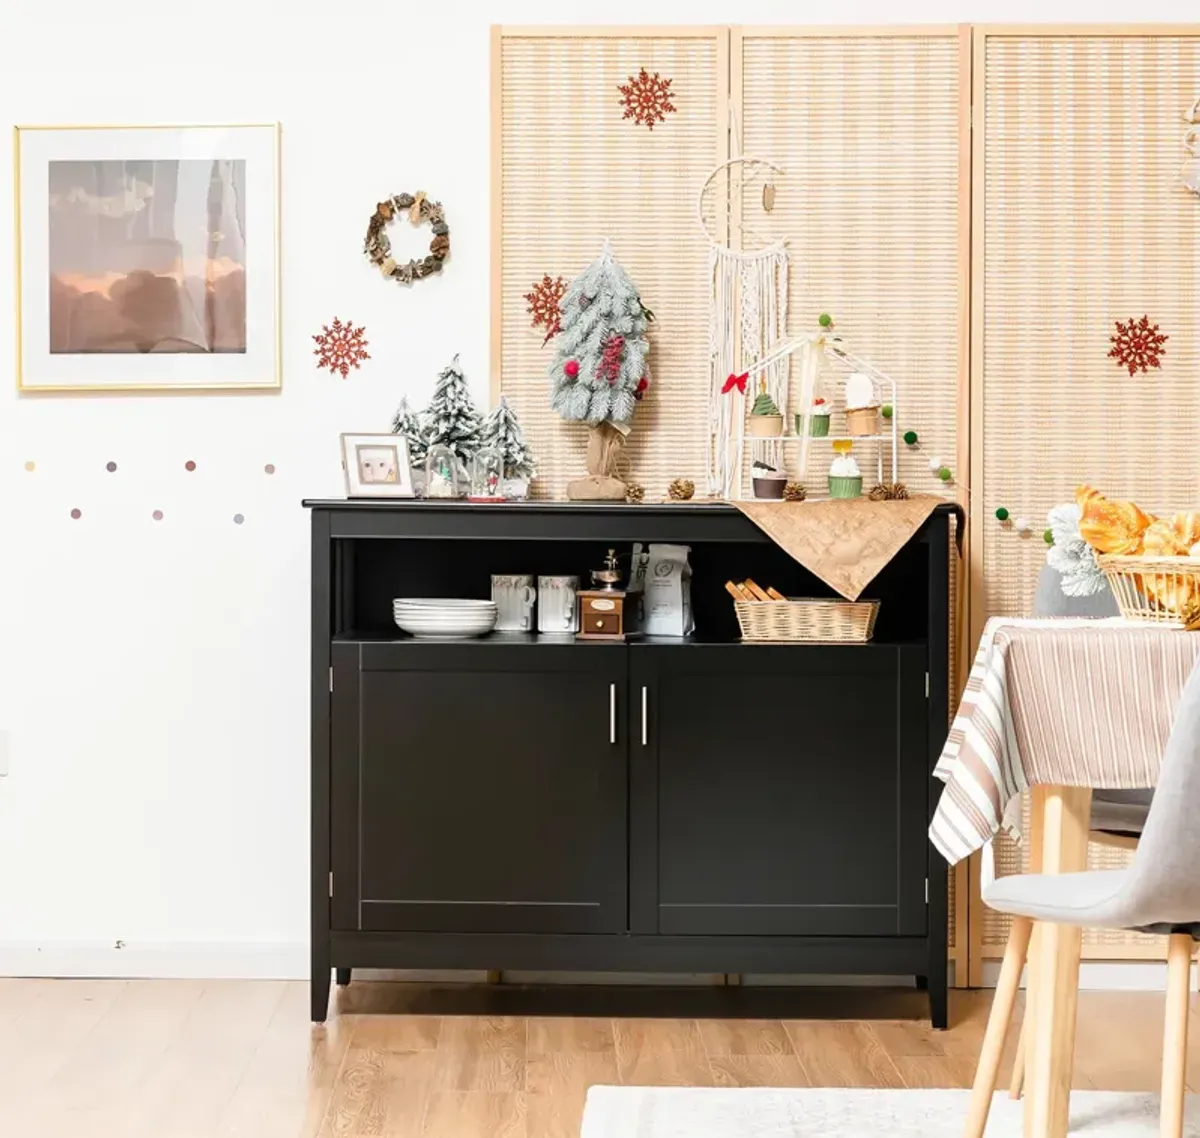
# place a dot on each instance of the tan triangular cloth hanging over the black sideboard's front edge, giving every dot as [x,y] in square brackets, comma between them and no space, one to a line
[845,542]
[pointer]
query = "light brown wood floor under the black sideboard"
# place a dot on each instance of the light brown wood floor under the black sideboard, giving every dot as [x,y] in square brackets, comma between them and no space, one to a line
[181,1059]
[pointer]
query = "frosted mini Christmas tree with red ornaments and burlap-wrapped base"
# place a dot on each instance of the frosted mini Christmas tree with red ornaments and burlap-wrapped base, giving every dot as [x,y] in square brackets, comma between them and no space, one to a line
[601,370]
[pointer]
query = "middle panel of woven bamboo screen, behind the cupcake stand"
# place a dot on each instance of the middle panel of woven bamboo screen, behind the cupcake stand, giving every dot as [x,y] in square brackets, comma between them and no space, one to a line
[872,133]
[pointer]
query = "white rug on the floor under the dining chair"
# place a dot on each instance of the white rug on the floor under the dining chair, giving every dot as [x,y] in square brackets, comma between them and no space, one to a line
[686,1112]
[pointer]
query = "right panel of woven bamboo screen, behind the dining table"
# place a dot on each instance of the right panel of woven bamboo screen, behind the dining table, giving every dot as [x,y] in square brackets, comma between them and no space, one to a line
[1079,220]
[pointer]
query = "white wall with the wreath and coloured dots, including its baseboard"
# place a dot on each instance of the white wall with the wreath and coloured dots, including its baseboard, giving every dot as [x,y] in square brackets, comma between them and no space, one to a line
[153,675]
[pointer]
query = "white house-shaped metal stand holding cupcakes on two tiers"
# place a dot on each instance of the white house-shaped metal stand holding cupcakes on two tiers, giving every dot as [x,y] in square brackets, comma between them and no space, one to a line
[868,416]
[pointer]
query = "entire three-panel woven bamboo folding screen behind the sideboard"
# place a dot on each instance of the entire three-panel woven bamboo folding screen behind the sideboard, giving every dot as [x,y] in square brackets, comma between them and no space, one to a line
[1034,169]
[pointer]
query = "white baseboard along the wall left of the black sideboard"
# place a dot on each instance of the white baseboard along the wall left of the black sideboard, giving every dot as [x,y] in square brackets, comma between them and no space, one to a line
[119,961]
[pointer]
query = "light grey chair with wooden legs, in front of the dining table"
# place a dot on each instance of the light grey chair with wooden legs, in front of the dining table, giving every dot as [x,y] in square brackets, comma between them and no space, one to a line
[1160,893]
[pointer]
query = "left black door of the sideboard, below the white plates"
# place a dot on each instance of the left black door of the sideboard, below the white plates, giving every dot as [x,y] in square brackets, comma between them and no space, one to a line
[482,787]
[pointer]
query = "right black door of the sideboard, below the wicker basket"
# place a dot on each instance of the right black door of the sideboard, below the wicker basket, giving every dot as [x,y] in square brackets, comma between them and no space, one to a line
[778,790]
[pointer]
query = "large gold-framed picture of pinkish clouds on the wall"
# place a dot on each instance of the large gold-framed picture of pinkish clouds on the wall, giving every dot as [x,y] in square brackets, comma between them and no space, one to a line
[148,257]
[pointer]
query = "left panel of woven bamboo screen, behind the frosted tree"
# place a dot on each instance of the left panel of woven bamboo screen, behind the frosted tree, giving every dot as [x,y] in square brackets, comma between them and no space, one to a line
[569,172]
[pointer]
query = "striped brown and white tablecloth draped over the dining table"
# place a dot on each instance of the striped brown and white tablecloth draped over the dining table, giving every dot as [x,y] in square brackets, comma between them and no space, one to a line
[1073,703]
